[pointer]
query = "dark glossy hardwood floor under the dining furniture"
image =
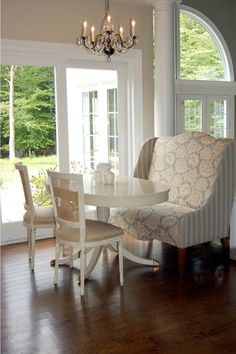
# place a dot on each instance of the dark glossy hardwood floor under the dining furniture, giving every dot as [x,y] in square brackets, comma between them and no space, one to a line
[155,312]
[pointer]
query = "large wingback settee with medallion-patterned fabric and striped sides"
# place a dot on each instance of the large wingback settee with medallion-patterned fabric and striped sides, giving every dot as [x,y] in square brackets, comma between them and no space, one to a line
[200,172]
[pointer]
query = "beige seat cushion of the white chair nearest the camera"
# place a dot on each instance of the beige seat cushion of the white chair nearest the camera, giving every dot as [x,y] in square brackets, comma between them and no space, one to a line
[95,231]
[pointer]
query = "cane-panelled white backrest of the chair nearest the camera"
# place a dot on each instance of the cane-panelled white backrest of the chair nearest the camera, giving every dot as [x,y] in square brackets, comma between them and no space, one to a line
[68,200]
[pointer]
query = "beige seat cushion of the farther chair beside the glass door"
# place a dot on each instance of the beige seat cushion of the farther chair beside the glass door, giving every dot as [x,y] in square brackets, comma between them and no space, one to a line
[43,215]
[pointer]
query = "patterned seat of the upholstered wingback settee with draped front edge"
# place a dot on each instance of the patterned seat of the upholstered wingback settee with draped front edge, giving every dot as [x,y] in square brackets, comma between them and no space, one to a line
[162,221]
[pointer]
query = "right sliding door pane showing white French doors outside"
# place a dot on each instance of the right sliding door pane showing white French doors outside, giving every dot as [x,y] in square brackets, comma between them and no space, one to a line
[93,116]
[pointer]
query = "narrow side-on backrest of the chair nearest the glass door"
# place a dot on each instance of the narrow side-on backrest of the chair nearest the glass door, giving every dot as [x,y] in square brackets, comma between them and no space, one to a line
[24,175]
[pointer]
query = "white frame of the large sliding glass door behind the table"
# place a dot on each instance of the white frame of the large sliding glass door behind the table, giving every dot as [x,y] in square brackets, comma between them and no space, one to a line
[130,101]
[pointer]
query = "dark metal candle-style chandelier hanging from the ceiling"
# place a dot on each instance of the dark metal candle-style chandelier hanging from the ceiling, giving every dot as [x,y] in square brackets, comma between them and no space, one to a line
[107,42]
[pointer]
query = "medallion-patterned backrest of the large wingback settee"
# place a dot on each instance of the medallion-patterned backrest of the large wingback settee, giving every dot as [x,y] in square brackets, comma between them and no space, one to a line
[190,164]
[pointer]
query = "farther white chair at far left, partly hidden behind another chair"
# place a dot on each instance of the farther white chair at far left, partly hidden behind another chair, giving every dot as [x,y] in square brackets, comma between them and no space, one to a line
[35,217]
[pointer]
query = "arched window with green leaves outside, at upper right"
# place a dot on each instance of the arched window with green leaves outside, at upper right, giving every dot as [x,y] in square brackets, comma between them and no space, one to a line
[203,52]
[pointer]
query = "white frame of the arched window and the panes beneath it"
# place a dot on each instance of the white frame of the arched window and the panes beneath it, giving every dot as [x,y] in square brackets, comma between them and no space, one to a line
[205,90]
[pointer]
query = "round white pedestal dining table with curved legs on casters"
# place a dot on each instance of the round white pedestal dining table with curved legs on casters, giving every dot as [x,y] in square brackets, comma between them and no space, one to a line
[125,191]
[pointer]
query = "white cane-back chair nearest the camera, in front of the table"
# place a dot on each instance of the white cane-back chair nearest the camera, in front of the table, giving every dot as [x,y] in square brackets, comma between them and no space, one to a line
[73,230]
